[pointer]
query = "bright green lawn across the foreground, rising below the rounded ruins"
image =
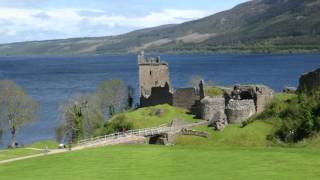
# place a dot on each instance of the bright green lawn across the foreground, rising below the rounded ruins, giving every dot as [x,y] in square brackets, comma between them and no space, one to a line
[236,153]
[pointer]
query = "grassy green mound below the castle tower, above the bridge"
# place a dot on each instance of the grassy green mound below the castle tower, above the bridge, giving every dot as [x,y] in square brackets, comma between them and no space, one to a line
[146,117]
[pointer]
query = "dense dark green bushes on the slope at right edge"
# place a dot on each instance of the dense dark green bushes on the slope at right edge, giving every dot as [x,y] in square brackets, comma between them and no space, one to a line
[294,117]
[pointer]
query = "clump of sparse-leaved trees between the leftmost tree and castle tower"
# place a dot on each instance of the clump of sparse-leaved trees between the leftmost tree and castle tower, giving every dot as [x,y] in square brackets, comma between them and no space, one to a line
[84,115]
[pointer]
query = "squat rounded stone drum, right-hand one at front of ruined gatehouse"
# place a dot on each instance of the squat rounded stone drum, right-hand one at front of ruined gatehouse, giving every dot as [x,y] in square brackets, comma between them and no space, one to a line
[239,110]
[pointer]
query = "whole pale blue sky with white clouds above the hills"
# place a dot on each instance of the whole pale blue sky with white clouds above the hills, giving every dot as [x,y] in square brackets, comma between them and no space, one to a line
[29,20]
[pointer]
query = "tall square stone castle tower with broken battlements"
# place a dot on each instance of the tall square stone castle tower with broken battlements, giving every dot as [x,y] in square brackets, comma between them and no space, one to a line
[155,86]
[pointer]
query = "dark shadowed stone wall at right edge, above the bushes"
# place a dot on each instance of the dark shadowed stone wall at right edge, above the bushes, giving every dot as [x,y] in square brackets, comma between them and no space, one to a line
[310,82]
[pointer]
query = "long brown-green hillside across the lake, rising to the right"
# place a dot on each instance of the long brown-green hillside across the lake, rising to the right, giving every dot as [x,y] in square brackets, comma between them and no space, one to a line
[254,26]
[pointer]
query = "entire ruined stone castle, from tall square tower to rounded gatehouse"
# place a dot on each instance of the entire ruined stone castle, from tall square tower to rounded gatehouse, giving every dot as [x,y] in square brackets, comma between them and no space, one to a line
[234,106]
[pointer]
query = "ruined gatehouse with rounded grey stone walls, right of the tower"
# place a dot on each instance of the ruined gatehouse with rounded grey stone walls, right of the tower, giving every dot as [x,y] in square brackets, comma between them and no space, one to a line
[236,105]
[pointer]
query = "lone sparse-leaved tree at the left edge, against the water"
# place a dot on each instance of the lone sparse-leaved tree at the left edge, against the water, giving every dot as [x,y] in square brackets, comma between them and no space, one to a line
[16,108]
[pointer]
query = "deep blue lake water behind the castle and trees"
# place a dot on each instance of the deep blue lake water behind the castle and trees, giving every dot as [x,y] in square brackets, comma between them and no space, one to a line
[51,81]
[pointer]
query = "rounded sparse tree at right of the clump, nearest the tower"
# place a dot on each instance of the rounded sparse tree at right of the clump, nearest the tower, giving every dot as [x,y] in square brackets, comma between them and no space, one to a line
[113,96]
